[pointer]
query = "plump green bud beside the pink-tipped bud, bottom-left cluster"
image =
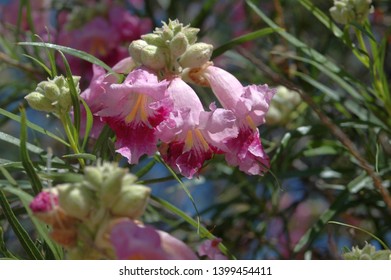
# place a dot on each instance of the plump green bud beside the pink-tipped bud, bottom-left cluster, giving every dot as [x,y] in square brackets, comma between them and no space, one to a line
[76,200]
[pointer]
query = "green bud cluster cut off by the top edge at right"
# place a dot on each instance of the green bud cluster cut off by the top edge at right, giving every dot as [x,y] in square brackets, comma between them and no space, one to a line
[347,11]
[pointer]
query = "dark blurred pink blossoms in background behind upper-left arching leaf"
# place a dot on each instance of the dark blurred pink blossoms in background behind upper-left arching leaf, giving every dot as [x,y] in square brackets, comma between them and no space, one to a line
[105,37]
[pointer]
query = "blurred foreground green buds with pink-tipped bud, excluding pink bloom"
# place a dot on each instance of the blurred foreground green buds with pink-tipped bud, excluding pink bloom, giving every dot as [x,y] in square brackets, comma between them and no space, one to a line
[82,214]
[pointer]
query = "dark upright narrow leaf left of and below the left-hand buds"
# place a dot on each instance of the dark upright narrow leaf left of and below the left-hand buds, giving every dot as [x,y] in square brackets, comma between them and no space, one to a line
[26,161]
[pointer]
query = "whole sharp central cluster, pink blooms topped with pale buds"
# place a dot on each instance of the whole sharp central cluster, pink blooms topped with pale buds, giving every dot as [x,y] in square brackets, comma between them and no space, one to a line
[156,110]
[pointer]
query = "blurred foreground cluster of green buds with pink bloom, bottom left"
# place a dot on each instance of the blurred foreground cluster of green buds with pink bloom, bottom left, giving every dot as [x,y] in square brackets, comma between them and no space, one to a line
[98,218]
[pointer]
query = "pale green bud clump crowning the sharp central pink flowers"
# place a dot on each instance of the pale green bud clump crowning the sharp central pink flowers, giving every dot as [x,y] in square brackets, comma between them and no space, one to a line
[171,48]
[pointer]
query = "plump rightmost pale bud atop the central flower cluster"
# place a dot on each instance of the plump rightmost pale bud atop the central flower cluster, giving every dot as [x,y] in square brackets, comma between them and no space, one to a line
[196,55]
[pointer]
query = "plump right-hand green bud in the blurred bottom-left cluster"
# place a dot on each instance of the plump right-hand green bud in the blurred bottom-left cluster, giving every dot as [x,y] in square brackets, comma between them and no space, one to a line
[131,202]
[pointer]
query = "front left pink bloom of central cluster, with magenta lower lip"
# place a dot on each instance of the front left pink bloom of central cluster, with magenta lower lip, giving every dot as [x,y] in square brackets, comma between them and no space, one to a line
[133,110]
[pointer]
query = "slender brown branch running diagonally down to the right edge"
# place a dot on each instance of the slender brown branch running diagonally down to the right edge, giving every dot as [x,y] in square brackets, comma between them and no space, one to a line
[341,136]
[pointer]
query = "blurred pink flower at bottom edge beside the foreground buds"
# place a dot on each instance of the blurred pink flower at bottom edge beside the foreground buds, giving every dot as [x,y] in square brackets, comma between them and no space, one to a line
[136,242]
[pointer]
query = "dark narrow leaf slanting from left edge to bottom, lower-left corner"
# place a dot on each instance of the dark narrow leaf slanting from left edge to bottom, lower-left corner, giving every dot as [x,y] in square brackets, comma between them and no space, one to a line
[25,240]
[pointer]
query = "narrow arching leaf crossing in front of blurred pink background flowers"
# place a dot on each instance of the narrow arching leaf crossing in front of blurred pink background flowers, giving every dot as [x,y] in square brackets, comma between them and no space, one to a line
[80,54]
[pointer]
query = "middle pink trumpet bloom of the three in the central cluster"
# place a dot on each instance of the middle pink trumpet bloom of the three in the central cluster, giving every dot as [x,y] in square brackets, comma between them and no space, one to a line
[190,135]
